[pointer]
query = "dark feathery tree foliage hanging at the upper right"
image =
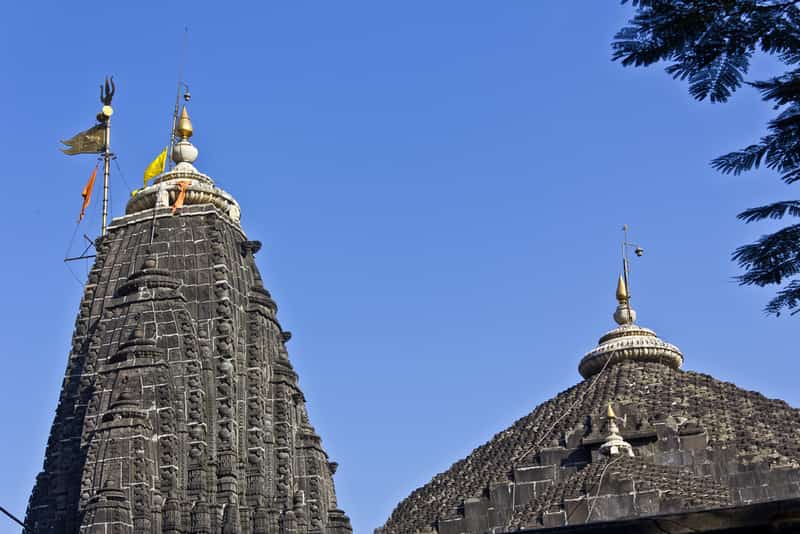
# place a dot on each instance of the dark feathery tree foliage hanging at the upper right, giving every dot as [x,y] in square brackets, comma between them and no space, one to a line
[710,43]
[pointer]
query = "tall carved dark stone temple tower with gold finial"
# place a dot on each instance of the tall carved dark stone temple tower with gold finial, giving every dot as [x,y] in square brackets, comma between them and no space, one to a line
[179,411]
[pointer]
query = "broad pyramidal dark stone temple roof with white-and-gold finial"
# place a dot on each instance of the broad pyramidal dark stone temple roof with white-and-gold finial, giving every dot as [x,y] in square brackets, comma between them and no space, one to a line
[637,437]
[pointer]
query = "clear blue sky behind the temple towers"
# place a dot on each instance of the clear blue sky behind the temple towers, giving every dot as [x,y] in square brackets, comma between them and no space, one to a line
[439,187]
